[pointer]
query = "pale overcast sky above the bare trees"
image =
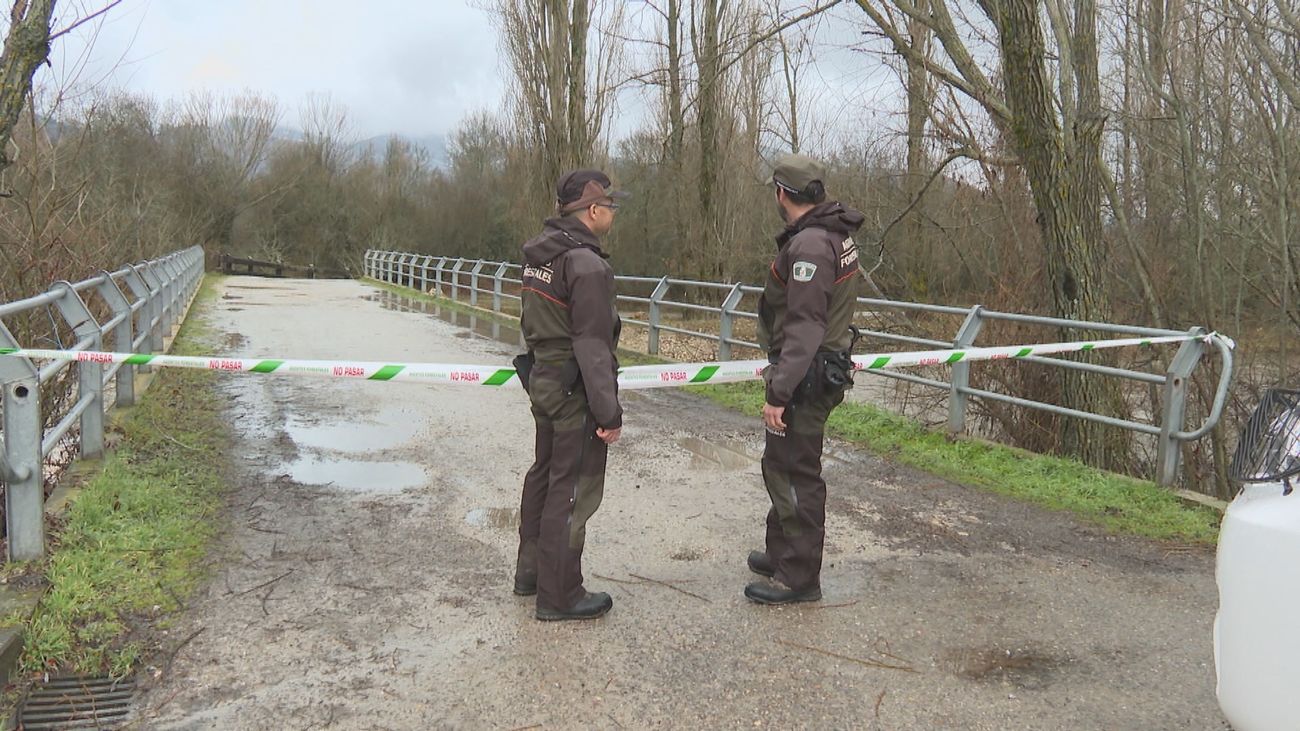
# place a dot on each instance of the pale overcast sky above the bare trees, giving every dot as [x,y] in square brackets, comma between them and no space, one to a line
[406,67]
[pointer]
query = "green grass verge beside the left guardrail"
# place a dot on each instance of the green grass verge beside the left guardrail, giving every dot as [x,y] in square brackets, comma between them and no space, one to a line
[135,538]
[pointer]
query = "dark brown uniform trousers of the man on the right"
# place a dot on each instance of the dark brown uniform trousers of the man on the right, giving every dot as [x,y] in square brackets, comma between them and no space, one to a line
[792,472]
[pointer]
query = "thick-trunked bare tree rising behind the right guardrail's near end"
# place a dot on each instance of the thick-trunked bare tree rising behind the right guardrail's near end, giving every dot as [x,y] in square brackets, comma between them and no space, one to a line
[1056,132]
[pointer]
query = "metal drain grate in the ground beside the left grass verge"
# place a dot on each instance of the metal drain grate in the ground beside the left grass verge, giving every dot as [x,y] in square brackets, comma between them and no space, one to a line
[77,703]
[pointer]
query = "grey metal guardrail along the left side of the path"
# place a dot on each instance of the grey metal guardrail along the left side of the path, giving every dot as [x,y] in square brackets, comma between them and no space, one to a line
[145,302]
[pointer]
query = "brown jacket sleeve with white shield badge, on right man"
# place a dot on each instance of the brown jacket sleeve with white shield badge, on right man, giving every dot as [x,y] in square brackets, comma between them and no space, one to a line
[805,315]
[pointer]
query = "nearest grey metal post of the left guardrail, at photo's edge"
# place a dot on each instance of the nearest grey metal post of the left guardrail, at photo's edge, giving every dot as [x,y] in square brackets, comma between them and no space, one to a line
[25,492]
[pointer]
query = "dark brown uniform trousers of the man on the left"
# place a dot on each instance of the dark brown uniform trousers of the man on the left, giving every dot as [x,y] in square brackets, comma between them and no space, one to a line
[562,490]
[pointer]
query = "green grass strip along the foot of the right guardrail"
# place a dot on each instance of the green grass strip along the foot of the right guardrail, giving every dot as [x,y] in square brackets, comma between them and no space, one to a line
[1113,501]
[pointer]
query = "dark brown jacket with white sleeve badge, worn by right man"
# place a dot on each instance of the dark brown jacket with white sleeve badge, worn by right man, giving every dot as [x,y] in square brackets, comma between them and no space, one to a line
[811,295]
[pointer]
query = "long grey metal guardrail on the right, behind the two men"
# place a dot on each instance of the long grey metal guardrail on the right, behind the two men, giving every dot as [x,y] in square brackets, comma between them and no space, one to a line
[447,276]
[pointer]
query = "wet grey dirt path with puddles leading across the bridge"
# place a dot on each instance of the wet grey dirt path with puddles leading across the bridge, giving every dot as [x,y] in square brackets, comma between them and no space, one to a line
[363,581]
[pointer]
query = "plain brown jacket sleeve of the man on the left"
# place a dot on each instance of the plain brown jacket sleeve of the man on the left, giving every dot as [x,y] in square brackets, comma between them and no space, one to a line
[592,325]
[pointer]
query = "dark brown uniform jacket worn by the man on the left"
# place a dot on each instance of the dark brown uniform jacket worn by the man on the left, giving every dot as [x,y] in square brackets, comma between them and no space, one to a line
[570,312]
